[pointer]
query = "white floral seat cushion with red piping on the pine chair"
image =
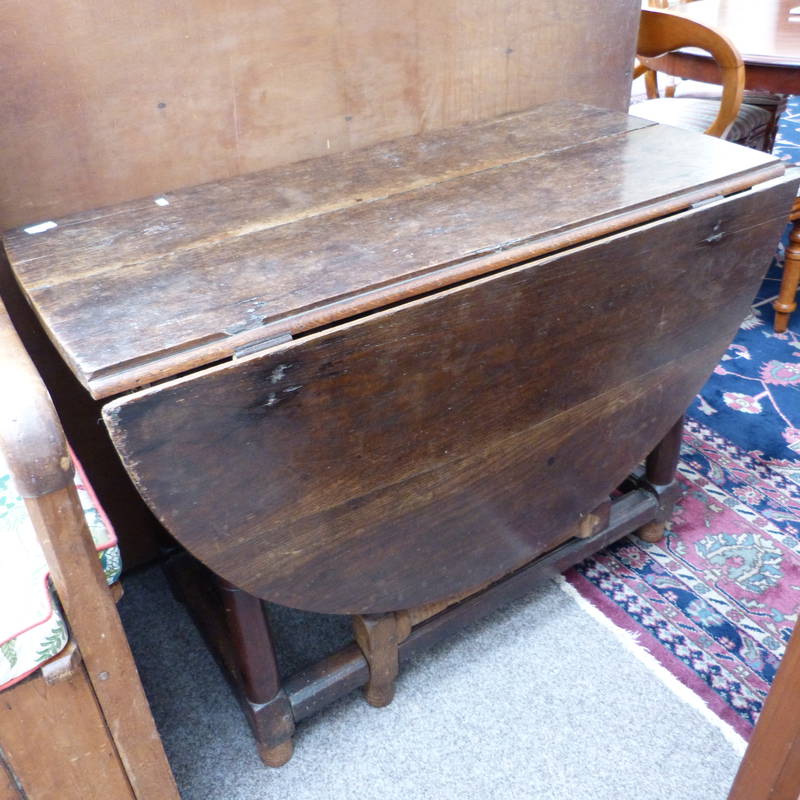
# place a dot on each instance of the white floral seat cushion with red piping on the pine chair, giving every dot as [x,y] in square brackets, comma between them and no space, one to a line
[32,629]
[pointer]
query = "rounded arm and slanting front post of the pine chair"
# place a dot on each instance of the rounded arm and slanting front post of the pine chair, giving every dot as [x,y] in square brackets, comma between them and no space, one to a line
[33,442]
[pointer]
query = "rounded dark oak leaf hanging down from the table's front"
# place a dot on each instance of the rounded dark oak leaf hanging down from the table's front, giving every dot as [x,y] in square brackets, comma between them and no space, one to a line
[423,450]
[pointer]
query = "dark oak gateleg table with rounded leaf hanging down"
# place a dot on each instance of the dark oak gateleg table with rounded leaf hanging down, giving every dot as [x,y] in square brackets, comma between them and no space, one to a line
[405,382]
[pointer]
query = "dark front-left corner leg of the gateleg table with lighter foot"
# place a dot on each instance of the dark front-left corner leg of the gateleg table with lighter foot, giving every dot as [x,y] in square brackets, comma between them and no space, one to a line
[270,712]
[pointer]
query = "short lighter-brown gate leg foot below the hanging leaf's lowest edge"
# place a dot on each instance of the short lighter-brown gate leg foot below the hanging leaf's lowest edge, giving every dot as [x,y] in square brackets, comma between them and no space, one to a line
[378,636]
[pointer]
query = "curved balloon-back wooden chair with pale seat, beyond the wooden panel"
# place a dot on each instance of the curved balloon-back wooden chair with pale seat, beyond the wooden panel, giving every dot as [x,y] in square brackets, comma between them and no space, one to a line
[726,117]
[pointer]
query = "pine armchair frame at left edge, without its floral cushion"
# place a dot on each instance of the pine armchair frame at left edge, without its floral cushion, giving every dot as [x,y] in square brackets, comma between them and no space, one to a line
[81,727]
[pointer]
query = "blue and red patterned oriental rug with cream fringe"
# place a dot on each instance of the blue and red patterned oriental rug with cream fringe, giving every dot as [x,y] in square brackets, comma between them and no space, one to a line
[716,600]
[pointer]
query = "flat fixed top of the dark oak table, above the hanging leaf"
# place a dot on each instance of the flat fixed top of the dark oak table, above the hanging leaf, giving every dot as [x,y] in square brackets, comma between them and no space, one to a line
[142,292]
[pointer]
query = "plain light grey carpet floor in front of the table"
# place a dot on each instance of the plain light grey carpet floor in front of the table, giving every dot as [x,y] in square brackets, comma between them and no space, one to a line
[537,701]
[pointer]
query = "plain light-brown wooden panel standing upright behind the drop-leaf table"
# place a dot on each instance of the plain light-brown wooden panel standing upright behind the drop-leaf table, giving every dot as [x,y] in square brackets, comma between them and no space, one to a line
[104,102]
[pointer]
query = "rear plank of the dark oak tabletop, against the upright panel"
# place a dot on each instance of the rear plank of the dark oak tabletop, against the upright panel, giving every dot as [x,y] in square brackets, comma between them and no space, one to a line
[139,230]
